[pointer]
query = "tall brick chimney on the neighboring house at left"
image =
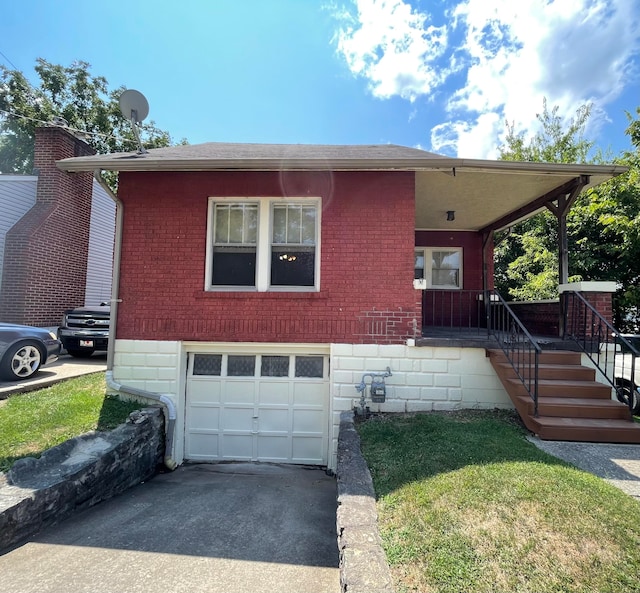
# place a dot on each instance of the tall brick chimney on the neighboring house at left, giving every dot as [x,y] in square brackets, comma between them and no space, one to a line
[45,258]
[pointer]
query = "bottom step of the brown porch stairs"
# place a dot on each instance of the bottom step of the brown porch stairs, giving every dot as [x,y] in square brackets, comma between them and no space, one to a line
[586,430]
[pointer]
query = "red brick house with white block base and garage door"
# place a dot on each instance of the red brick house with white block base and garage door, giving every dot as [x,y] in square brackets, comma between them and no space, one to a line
[258,283]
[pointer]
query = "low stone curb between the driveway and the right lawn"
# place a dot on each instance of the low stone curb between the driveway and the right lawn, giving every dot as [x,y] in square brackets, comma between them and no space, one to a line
[363,563]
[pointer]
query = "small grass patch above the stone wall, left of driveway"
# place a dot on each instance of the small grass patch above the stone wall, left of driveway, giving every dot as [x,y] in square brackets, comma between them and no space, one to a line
[35,421]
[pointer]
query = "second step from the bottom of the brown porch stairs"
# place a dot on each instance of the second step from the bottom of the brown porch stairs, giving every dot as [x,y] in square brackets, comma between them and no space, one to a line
[574,407]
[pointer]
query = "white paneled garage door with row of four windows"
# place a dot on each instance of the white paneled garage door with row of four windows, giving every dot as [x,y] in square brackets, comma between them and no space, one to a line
[257,407]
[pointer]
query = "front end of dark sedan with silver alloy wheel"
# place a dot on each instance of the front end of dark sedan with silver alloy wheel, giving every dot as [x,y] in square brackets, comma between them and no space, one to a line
[24,350]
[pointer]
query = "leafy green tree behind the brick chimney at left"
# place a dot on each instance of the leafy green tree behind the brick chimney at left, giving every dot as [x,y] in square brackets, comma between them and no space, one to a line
[72,93]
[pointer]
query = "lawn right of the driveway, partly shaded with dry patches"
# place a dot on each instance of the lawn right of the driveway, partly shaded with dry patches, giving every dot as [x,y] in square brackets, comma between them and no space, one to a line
[466,503]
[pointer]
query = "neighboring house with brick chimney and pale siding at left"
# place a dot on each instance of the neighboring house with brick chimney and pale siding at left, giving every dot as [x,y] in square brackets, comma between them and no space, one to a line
[56,236]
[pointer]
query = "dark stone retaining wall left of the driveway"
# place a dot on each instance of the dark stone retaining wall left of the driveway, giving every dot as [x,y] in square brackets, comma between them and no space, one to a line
[79,473]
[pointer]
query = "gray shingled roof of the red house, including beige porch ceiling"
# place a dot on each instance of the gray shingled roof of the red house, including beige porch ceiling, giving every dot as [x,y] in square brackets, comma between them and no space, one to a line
[485,195]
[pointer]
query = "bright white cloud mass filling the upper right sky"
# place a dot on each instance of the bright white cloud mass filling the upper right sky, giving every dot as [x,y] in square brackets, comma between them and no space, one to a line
[513,54]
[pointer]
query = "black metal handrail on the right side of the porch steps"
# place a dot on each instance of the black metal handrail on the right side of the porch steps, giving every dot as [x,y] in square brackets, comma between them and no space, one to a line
[599,340]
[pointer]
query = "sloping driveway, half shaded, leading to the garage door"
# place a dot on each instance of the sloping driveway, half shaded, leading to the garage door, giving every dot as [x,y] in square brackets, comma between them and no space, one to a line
[203,528]
